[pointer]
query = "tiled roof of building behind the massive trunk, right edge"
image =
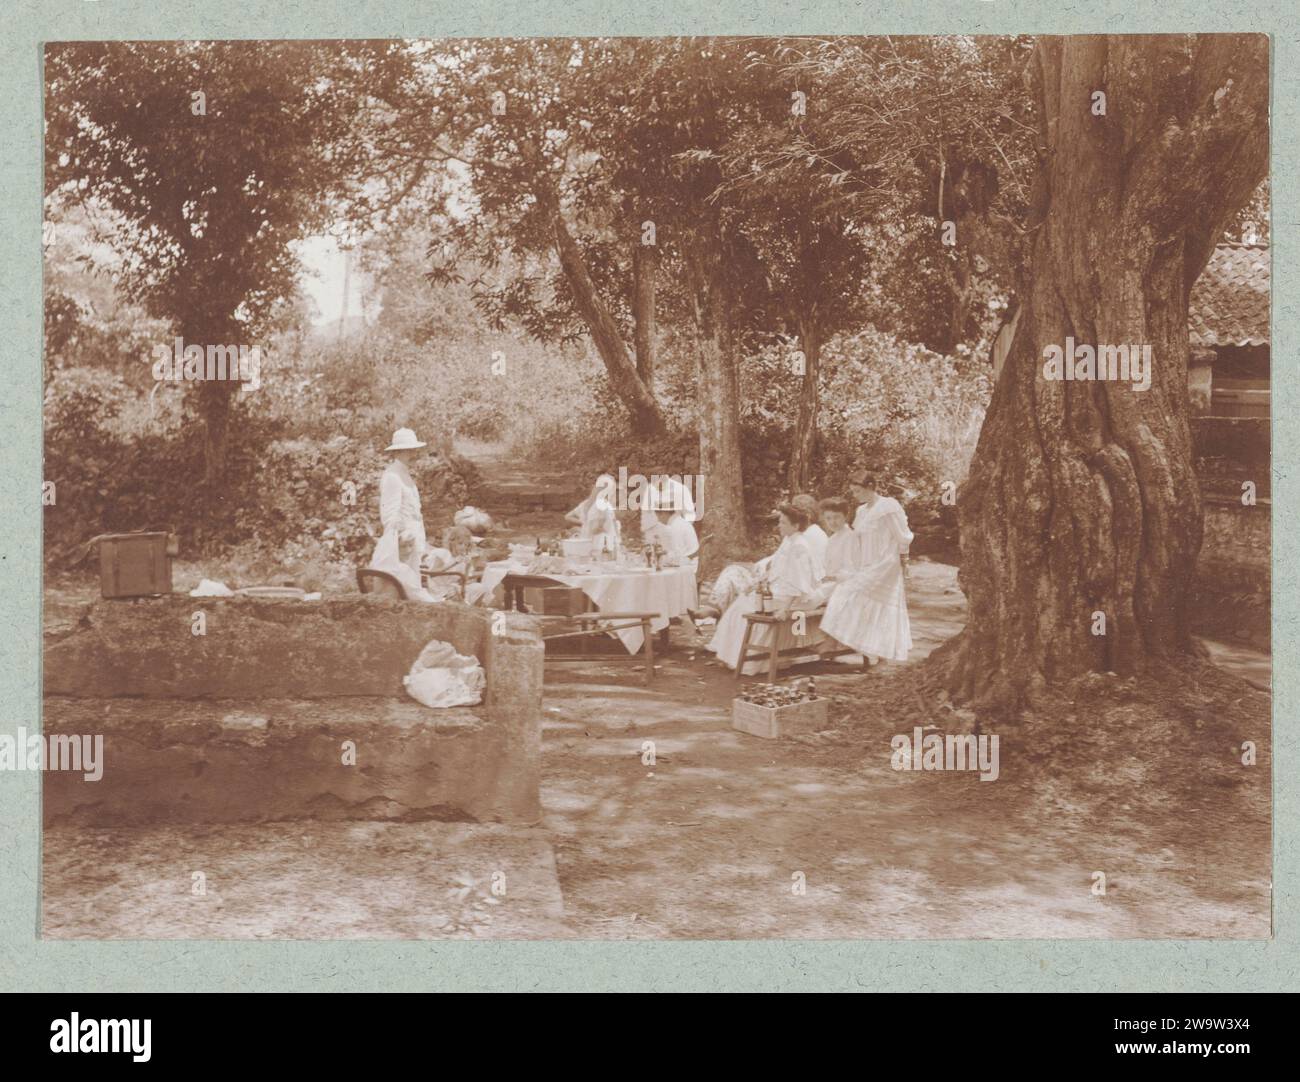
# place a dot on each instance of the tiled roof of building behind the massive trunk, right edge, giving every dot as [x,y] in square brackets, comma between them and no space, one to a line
[1230,301]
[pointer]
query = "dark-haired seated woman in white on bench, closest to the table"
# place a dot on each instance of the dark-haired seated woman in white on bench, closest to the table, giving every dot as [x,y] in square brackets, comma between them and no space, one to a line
[790,573]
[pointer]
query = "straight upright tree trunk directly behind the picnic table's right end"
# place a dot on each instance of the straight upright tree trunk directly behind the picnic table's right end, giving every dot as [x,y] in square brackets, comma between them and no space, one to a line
[717,408]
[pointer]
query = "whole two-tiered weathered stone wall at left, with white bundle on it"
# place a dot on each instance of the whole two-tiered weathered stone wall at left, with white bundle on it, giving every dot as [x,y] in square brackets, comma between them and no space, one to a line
[255,719]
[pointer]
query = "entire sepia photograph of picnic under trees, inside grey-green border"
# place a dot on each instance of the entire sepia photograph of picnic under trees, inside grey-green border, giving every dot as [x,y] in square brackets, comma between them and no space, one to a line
[656,488]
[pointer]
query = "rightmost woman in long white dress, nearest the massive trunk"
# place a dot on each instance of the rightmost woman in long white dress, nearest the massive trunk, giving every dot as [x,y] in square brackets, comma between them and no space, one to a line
[869,611]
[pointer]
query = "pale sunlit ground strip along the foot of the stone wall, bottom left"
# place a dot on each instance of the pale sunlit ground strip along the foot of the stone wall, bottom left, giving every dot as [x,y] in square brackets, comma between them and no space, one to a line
[301,881]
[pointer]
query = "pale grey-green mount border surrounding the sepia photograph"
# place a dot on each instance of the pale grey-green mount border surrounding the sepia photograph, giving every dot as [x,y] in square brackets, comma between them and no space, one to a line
[31,964]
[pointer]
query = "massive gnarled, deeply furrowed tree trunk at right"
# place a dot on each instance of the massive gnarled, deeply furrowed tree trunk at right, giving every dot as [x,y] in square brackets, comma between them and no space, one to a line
[1082,497]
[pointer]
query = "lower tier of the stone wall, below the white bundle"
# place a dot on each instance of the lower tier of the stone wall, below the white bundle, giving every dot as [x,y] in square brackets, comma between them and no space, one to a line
[224,761]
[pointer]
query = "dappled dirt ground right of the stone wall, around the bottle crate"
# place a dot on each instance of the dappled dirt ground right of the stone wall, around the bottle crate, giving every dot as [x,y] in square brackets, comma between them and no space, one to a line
[727,836]
